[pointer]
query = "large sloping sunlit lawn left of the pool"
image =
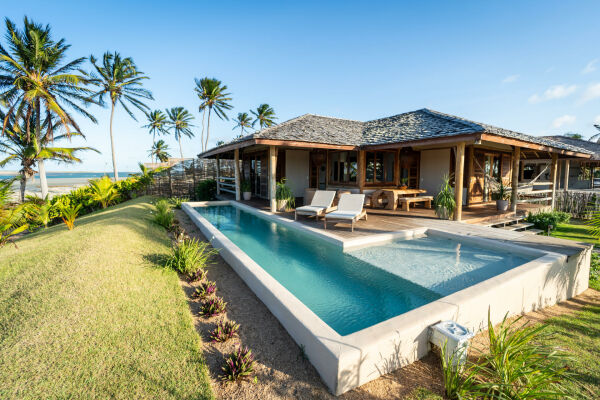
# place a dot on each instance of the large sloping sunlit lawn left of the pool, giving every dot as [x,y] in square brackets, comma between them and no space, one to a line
[90,313]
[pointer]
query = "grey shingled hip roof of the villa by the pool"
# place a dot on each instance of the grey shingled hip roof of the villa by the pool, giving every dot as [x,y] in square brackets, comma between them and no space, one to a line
[407,127]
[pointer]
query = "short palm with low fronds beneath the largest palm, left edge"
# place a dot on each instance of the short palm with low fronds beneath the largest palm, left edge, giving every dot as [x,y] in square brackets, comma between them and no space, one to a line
[18,147]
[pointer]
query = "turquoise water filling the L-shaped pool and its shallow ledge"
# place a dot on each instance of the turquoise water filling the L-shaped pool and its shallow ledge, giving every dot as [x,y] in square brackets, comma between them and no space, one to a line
[354,290]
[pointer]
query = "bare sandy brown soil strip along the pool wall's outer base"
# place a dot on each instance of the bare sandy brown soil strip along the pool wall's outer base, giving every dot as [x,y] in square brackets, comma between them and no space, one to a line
[282,371]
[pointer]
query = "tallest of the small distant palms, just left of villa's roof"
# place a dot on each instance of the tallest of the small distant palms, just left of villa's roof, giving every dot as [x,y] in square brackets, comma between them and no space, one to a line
[213,97]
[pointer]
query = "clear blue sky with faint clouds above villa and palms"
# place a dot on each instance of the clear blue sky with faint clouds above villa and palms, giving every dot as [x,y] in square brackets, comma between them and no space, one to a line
[529,66]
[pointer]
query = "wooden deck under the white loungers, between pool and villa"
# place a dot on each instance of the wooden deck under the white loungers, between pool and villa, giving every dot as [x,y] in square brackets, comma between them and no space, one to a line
[384,221]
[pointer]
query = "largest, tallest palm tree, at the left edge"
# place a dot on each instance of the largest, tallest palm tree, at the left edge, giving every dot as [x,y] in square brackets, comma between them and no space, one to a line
[34,80]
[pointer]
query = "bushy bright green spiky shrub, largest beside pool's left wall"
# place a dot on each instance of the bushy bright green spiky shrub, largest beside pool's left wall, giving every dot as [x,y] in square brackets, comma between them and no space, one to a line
[188,256]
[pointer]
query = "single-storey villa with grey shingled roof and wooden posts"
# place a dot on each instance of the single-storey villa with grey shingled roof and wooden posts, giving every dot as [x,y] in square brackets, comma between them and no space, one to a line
[414,149]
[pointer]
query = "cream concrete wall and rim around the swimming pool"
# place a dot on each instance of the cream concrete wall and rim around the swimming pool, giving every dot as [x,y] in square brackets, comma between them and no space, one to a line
[345,362]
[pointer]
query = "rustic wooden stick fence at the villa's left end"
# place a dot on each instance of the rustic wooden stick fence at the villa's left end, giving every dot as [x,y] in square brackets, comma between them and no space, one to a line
[182,178]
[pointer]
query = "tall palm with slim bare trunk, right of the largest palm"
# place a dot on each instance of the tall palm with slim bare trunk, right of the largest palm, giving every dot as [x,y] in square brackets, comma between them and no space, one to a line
[119,79]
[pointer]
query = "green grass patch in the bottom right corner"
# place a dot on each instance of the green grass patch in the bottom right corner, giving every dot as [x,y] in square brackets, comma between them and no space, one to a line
[579,334]
